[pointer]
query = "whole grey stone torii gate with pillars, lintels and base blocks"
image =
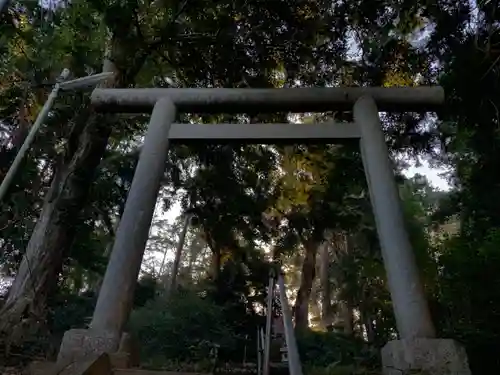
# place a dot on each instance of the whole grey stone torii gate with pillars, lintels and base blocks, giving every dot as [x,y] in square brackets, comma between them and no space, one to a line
[418,347]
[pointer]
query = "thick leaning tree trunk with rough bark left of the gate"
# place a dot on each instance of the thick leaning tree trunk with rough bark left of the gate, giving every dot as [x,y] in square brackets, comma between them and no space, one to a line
[53,235]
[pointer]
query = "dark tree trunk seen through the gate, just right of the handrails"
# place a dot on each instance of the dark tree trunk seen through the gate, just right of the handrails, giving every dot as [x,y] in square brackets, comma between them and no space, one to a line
[301,309]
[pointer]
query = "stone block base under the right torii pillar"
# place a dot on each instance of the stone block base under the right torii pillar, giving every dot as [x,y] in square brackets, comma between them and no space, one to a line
[424,357]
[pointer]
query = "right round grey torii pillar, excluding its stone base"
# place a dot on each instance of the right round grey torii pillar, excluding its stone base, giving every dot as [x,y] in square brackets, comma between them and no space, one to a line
[410,306]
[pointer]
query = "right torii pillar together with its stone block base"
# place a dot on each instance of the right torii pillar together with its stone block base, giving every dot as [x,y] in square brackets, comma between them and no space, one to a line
[418,349]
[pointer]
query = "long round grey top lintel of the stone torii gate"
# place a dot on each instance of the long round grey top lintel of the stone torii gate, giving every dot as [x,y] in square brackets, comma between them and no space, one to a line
[227,100]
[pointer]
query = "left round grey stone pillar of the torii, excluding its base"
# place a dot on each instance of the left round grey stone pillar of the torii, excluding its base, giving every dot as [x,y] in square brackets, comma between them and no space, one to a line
[116,296]
